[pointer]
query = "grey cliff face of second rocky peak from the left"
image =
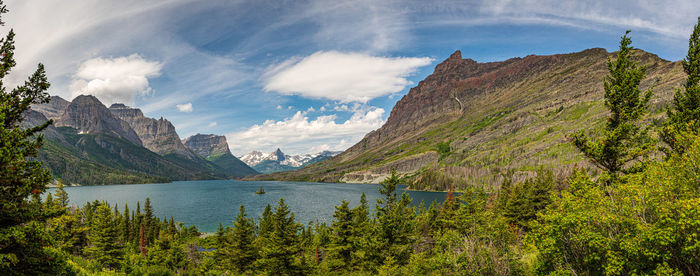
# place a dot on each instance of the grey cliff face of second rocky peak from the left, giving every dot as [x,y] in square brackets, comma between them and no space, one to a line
[158,136]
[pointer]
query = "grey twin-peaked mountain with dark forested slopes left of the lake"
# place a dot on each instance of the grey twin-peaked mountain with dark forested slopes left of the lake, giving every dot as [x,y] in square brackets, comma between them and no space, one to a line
[91,145]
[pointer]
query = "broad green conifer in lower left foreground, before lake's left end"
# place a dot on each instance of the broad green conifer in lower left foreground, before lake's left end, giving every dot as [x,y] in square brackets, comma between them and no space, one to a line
[103,239]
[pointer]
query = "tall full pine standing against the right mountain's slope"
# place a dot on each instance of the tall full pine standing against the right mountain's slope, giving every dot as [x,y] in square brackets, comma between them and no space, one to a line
[623,141]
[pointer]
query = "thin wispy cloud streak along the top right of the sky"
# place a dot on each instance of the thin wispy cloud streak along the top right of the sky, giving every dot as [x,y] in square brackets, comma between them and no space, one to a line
[671,20]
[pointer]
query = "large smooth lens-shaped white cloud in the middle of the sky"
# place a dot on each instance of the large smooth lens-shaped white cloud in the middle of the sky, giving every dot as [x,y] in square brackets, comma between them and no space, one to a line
[345,77]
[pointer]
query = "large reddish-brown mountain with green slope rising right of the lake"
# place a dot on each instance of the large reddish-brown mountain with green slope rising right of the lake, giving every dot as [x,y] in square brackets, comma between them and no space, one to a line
[473,123]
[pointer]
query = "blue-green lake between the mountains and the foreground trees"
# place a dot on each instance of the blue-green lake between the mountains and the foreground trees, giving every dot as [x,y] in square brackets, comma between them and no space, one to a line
[206,203]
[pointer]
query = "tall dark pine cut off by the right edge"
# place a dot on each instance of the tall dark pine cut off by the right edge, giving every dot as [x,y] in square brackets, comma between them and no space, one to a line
[684,116]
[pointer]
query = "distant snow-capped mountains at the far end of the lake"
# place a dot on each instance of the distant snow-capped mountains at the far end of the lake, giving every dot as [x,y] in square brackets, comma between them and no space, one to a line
[277,161]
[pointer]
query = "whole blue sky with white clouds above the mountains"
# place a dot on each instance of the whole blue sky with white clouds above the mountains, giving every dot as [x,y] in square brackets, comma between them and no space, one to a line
[303,76]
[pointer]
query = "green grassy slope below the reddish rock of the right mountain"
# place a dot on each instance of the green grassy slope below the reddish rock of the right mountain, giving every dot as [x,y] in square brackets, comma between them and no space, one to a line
[514,128]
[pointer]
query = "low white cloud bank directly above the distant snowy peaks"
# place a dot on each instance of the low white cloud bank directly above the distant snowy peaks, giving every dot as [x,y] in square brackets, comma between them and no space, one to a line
[301,134]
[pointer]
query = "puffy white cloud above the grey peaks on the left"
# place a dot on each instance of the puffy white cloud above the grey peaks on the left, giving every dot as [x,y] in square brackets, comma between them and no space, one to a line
[114,80]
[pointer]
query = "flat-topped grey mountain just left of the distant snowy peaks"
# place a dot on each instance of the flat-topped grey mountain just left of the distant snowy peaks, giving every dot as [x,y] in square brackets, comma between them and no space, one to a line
[215,149]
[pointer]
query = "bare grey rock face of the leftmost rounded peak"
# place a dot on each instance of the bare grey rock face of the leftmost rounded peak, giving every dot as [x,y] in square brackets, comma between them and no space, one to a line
[88,115]
